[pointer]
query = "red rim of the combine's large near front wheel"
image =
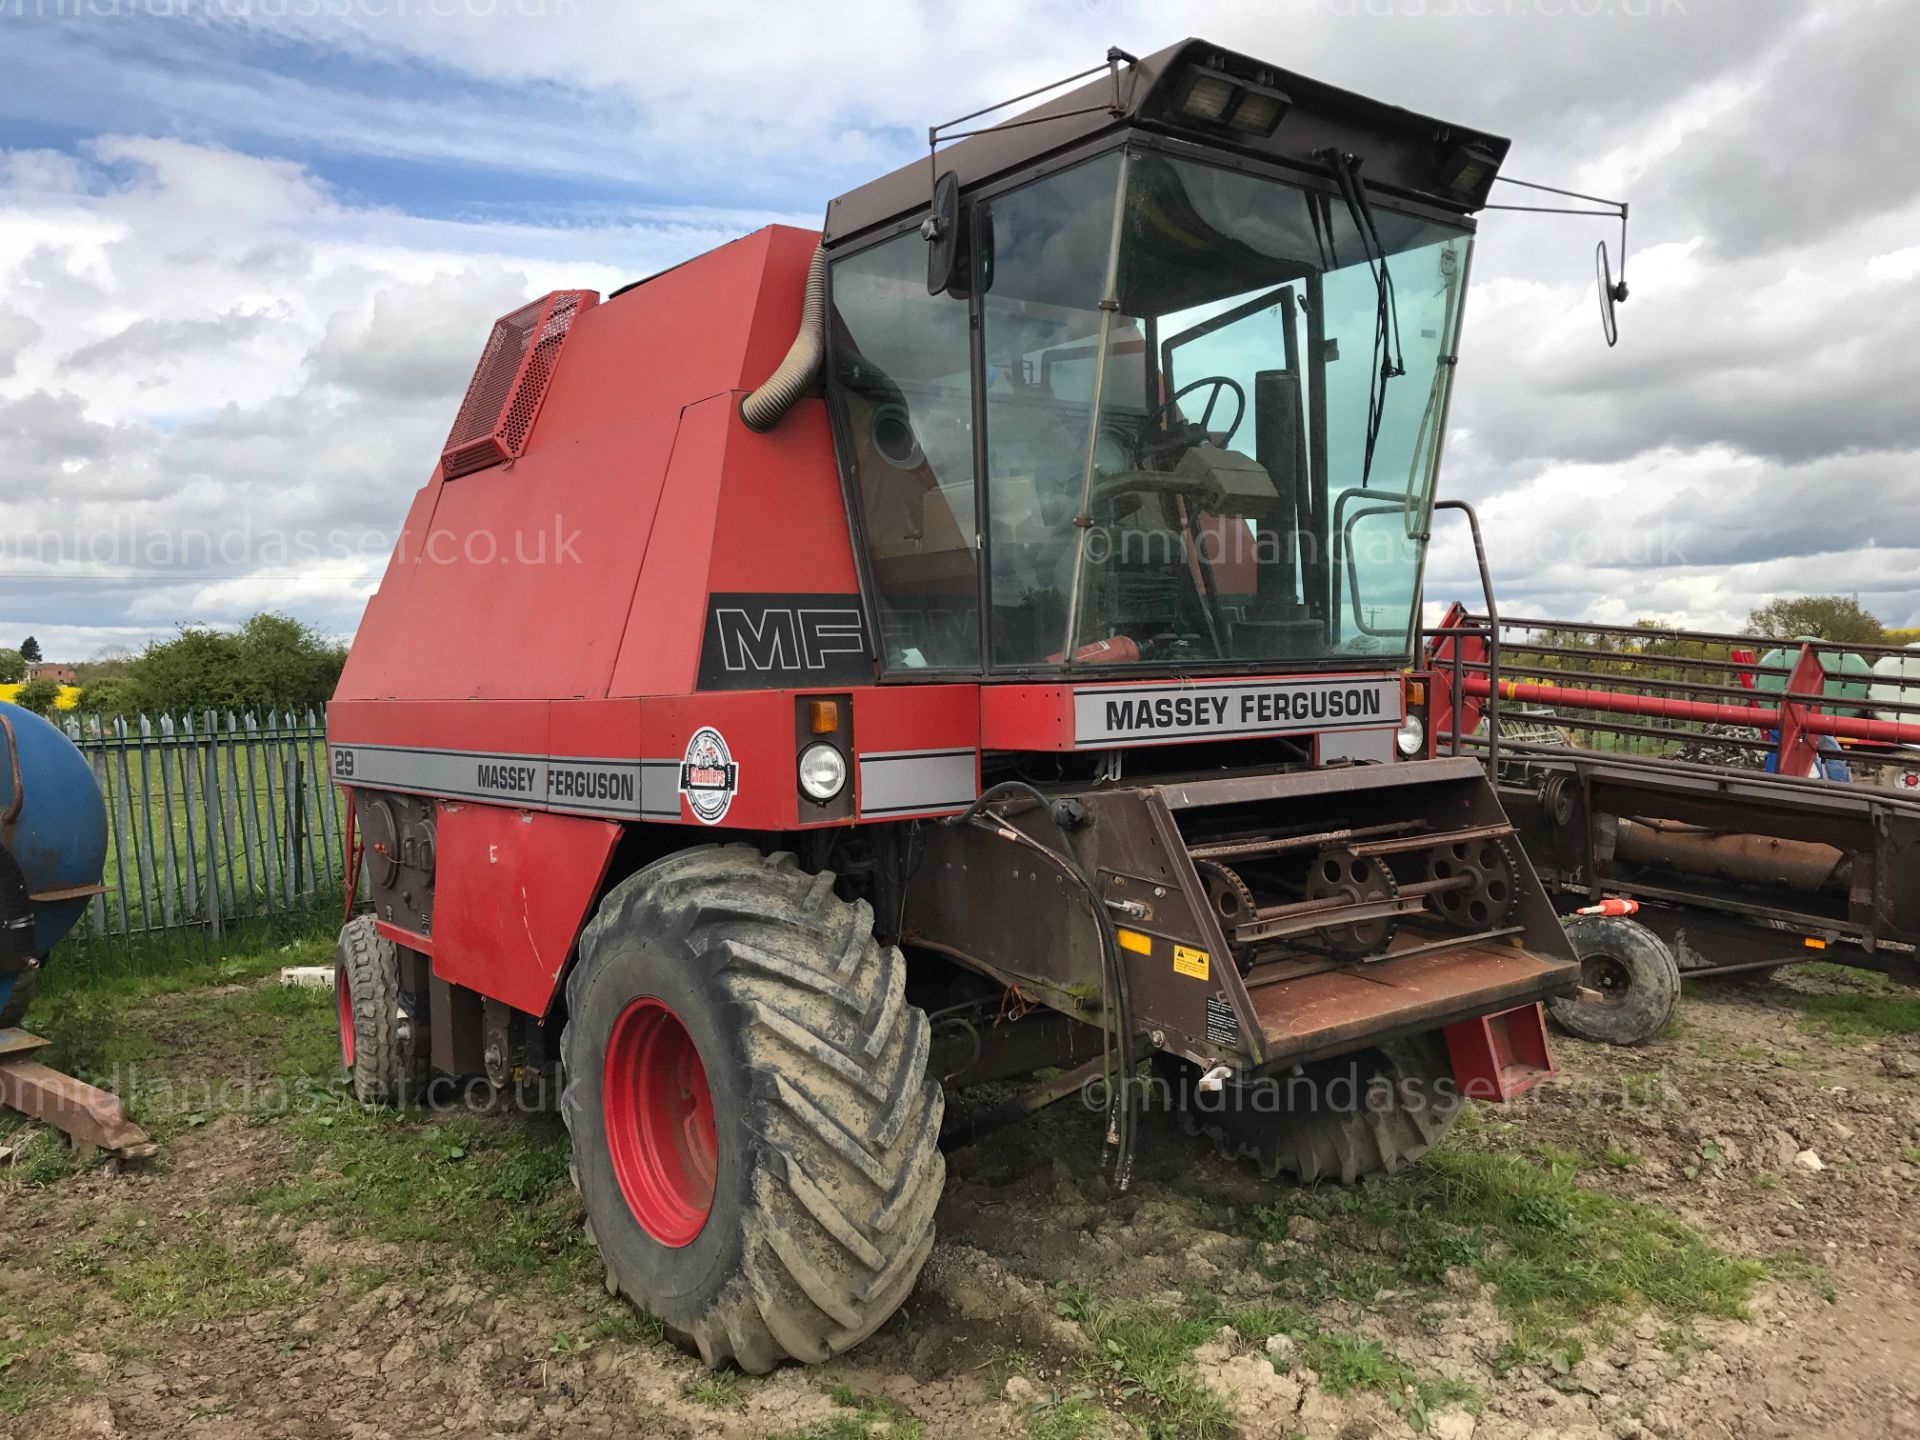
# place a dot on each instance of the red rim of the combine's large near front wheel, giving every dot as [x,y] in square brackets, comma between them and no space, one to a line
[660,1122]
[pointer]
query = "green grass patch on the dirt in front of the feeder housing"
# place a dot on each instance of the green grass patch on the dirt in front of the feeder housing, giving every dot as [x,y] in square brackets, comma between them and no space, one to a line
[1556,1255]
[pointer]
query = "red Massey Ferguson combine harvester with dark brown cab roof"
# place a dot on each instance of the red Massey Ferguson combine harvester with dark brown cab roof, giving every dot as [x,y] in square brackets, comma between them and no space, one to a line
[965,642]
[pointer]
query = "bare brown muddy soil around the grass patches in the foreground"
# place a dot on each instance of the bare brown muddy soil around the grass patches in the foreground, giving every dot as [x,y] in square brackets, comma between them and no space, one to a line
[1800,1149]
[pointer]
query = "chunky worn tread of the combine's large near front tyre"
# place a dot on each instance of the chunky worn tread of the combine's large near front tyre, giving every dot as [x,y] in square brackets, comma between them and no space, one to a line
[844,1118]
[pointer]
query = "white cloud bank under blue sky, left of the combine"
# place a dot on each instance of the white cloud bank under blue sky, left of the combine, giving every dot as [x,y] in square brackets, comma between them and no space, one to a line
[222,385]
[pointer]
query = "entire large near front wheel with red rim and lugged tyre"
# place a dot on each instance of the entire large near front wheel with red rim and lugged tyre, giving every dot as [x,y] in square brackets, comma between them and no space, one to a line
[756,1132]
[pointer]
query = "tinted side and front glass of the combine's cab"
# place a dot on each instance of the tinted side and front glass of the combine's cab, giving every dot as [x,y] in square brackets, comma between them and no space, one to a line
[1180,379]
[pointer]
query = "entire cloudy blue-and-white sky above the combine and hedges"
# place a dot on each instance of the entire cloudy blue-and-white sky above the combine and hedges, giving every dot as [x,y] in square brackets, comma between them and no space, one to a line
[251,249]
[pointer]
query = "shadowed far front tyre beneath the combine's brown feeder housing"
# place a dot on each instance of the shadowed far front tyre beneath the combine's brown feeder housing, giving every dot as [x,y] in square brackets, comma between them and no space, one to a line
[1360,1115]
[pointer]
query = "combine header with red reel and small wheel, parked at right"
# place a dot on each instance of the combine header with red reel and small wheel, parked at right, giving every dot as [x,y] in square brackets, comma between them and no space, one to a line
[1754,802]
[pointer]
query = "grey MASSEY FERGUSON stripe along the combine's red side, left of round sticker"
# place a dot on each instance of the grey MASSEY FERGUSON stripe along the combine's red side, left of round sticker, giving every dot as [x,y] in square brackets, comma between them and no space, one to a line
[627,790]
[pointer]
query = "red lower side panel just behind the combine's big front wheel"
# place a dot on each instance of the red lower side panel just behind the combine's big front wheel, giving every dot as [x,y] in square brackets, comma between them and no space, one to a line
[514,892]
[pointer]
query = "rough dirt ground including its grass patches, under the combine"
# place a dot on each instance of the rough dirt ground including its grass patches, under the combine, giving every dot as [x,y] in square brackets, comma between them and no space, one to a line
[235,1289]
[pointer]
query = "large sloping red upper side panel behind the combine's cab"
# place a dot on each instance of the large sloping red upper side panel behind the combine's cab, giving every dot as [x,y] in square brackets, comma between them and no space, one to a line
[529,581]
